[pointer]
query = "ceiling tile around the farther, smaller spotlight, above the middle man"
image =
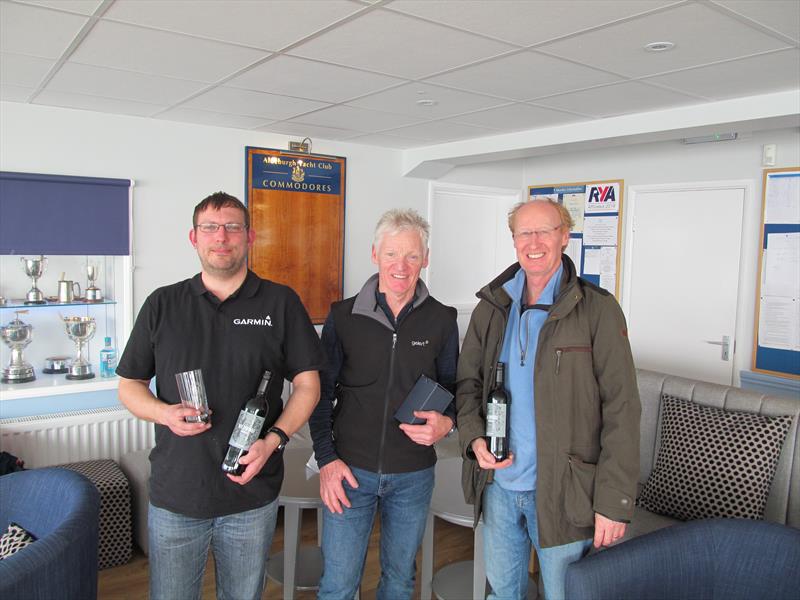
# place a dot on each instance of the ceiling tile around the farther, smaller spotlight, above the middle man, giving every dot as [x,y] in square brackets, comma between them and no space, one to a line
[403,100]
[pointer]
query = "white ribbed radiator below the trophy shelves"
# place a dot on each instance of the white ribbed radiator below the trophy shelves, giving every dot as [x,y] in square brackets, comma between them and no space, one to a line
[46,440]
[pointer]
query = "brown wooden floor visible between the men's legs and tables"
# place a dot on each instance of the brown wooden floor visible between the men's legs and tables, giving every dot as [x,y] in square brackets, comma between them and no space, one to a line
[452,543]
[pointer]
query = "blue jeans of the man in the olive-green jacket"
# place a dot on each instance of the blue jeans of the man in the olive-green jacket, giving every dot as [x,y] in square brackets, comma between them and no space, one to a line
[510,526]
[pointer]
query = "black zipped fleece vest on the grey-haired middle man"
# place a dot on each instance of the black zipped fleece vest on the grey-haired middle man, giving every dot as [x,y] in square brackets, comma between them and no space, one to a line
[378,371]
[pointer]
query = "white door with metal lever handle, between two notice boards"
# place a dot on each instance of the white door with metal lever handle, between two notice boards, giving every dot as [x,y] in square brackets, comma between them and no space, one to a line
[681,277]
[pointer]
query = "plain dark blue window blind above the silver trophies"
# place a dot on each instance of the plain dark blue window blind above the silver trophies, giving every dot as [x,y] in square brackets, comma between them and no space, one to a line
[58,214]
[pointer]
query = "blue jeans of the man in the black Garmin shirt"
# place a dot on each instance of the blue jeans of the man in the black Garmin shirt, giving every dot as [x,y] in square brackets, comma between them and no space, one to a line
[179,551]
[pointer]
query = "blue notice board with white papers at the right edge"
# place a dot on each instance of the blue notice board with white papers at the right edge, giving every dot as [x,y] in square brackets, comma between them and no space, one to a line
[777,322]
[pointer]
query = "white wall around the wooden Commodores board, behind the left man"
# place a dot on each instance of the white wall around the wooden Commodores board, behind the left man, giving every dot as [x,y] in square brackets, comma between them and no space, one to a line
[175,165]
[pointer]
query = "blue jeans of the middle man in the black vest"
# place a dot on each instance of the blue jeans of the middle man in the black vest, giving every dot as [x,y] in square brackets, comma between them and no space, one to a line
[403,499]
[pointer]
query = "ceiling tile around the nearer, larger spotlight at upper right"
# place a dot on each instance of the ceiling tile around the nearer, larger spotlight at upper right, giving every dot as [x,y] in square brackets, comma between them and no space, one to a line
[701,35]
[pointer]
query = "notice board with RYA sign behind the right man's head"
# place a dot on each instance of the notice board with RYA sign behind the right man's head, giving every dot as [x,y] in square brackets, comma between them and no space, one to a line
[596,209]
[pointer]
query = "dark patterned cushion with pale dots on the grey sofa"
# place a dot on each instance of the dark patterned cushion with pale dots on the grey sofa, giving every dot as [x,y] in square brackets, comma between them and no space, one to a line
[713,462]
